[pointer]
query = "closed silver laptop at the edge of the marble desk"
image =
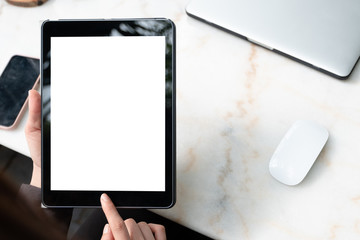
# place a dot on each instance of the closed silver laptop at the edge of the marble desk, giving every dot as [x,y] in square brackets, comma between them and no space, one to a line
[324,34]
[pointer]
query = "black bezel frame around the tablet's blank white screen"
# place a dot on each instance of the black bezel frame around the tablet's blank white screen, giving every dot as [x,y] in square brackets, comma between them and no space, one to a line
[133,199]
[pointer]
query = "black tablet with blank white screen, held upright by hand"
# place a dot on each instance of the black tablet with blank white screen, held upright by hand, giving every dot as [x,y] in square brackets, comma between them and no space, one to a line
[108,112]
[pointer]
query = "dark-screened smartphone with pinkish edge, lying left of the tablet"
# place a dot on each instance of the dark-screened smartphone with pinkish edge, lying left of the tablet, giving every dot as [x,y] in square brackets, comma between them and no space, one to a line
[20,75]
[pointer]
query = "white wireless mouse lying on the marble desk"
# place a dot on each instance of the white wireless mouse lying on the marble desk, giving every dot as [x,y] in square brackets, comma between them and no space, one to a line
[297,152]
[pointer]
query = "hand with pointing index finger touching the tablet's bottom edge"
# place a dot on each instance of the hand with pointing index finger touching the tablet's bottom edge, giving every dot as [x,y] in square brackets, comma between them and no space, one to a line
[119,229]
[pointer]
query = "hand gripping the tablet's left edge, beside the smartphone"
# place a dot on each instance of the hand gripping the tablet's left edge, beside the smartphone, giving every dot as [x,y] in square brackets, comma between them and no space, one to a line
[33,135]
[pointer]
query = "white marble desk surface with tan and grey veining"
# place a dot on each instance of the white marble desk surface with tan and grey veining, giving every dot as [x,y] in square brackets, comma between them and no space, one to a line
[235,101]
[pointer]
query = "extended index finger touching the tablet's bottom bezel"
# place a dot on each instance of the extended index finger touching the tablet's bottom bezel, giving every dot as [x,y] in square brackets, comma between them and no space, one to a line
[117,224]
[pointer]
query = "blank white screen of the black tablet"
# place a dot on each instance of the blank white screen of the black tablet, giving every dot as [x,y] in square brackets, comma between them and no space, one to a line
[108,113]
